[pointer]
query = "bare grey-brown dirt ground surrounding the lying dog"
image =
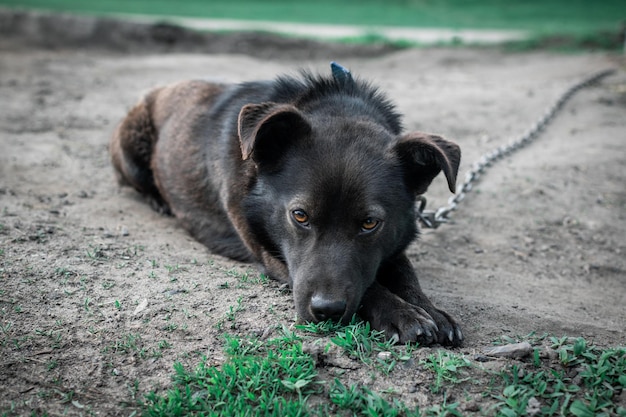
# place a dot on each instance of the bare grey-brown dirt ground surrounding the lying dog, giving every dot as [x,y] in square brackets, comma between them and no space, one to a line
[89,275]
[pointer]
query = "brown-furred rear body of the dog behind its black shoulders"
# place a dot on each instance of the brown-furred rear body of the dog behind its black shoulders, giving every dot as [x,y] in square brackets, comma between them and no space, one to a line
[162,149]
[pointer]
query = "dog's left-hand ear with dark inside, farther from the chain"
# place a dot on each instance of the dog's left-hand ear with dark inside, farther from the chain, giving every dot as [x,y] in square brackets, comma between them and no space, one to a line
[266,130]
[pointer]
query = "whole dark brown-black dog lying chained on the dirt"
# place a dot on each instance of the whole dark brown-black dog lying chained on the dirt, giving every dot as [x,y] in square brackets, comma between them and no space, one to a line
[310,176]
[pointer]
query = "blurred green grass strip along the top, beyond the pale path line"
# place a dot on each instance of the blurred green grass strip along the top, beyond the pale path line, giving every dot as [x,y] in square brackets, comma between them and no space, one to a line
[537,16]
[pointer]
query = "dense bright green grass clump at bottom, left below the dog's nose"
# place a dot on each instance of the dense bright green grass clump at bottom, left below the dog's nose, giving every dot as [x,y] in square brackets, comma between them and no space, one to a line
[274,379]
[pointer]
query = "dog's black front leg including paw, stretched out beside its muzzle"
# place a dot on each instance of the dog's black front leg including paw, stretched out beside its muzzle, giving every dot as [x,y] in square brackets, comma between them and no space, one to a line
[396,304]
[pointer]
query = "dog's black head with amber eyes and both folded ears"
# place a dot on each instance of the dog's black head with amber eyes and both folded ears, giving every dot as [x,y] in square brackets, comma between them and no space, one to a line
[332,196]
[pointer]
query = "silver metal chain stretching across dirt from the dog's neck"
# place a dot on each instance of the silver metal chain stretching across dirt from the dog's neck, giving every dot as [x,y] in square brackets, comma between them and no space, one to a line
[434,218]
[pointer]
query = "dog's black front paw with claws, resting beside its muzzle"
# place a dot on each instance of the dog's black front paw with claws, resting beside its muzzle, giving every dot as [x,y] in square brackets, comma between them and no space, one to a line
[405,322]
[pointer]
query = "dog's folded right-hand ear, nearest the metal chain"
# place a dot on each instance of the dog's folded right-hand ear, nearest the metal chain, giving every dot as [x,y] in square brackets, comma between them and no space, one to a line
[424,156]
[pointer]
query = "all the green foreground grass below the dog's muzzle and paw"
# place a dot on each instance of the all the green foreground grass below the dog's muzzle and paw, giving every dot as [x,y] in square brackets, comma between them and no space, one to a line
[277,378]
